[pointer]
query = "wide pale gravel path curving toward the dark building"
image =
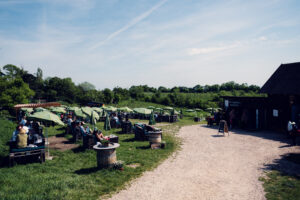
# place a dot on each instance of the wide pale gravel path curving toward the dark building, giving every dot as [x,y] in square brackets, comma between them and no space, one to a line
[210,166]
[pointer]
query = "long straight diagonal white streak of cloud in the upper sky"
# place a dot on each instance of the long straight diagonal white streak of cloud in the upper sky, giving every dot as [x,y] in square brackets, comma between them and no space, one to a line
[129,25]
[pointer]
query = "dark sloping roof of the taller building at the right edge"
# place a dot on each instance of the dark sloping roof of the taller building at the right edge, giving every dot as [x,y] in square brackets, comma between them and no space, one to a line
[285,80]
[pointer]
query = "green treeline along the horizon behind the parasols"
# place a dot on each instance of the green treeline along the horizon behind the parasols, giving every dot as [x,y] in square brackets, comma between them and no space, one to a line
[19,86]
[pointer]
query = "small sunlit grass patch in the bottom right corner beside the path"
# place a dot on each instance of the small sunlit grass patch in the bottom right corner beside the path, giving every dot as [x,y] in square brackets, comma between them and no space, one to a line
[279,186]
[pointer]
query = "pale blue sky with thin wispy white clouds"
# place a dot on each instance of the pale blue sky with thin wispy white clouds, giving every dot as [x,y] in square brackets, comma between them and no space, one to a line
[169,43]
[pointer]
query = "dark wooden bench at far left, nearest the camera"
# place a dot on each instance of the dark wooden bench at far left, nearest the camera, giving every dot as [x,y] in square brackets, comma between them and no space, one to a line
[27,152]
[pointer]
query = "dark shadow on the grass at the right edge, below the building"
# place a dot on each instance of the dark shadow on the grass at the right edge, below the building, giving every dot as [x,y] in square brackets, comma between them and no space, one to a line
[288,164]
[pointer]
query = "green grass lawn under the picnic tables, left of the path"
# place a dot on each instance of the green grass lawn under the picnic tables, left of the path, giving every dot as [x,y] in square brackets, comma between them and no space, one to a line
[73,174]
